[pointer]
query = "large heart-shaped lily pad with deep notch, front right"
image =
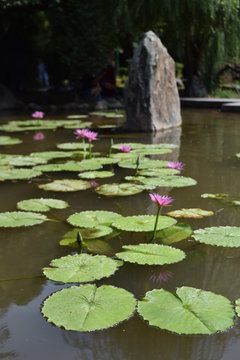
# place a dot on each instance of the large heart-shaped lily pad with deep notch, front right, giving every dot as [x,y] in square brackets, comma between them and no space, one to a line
[190,311]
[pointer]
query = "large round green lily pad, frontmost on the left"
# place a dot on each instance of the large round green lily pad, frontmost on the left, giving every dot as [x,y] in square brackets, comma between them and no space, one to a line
[88,308]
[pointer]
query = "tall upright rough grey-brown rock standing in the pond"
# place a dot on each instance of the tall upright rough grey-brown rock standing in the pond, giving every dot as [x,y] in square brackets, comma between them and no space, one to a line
[152,100]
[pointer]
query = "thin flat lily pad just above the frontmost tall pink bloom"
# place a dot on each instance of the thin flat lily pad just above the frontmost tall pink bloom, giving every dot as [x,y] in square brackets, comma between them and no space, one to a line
[164,181]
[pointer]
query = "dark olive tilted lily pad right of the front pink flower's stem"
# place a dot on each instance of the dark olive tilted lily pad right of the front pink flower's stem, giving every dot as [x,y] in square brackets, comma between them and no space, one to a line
[173,234]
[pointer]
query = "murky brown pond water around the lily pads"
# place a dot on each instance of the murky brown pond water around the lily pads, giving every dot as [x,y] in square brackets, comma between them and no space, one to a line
[208,143]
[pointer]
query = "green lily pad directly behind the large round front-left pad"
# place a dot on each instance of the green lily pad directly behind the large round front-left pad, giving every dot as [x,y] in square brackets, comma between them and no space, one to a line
[81,268]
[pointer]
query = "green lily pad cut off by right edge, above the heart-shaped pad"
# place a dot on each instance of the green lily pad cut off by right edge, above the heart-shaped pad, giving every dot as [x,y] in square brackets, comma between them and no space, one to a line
[227,236]
